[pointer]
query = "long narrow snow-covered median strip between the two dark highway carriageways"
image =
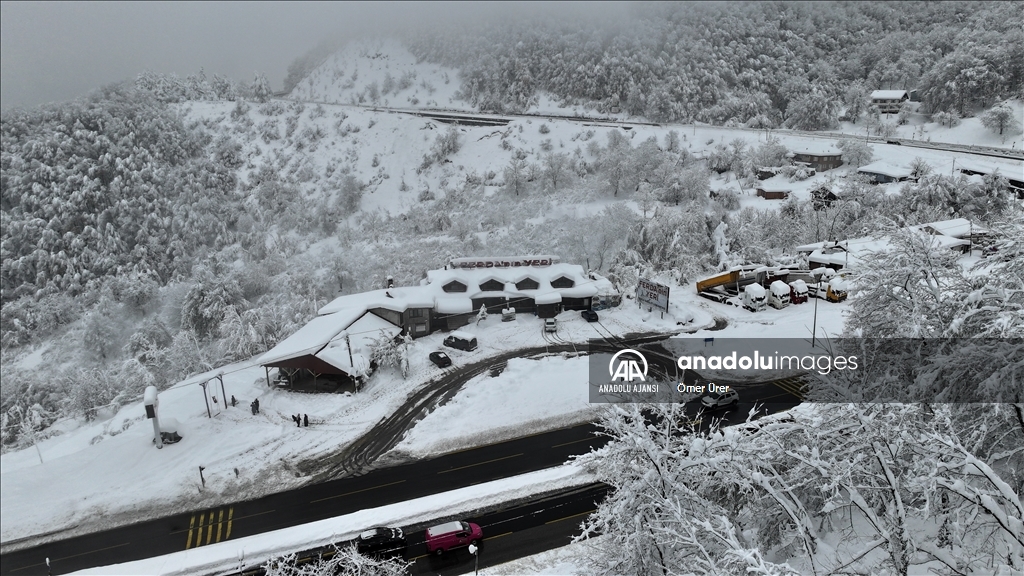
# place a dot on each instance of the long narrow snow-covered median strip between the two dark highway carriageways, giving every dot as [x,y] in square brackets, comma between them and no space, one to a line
[253,551]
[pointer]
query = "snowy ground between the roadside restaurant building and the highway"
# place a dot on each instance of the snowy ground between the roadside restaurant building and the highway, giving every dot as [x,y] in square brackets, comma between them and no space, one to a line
[107,473]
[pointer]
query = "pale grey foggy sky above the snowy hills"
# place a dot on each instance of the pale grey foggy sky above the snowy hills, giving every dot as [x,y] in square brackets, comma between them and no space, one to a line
[56,52]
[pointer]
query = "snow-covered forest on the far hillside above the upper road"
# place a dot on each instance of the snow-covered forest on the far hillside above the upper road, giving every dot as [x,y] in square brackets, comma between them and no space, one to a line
[793,63]
